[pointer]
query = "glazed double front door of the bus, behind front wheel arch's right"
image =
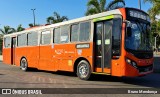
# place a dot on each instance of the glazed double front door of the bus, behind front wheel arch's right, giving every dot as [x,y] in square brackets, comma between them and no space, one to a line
[103,45]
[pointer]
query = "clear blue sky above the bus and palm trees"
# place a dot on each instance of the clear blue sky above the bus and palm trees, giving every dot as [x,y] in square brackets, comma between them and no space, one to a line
[15,12]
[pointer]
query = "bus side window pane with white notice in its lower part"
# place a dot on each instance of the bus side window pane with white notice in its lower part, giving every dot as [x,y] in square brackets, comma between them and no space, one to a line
[64,38]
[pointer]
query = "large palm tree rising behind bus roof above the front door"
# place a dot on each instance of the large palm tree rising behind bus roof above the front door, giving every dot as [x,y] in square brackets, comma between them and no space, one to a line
[98,6]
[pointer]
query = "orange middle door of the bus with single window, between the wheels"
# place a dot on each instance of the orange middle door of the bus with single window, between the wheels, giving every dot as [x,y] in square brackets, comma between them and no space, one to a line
[45,51]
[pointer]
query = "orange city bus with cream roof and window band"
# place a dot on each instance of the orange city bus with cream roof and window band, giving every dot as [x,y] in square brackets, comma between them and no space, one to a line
[115,42]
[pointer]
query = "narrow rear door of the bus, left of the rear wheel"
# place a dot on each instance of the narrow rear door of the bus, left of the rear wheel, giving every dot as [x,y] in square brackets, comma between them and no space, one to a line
[13,47]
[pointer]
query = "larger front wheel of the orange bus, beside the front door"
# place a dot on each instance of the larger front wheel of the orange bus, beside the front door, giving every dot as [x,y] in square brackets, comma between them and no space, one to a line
[83,70]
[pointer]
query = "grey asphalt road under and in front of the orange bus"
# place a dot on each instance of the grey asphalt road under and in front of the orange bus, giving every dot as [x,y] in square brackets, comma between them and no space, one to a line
[13,77]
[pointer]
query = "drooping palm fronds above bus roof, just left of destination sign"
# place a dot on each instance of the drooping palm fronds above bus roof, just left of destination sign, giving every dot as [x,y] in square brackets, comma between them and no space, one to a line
[116,4]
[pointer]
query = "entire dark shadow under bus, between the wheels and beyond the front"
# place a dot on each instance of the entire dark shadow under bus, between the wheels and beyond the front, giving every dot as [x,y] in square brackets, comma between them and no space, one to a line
[152,80]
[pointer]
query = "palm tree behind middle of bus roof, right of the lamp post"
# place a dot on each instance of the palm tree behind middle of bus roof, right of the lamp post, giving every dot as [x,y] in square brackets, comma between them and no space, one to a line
[56,18]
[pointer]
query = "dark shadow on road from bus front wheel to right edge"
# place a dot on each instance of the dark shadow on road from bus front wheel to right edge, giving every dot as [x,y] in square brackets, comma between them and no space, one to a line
[152,80]
